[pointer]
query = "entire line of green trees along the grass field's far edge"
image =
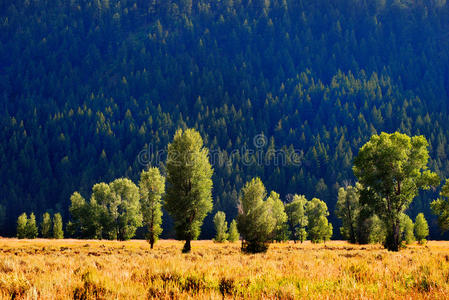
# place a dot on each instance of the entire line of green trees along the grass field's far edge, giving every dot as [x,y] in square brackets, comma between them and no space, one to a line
[391,169]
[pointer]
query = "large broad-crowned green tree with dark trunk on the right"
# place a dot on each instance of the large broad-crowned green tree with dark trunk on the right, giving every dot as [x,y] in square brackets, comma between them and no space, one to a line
[392,169]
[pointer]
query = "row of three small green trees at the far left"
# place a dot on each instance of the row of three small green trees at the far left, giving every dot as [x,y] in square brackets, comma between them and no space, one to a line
[27,227]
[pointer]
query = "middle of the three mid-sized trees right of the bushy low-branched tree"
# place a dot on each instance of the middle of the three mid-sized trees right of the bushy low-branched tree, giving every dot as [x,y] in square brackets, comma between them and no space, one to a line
[297,218]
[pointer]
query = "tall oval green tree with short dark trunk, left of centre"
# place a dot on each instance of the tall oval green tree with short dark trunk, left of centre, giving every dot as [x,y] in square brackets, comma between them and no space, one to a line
[189,184]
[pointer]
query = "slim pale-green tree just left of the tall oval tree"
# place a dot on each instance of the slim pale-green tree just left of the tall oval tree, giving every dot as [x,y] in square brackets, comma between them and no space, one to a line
[152,188]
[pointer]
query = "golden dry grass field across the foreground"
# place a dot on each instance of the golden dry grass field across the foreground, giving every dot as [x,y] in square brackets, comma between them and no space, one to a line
[80,269]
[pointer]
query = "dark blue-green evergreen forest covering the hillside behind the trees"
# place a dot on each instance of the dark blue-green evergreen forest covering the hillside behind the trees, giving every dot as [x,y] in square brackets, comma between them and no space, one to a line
[87,85]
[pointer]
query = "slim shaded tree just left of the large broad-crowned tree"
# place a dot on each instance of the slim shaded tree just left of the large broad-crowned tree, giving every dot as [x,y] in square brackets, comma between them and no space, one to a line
[348,210]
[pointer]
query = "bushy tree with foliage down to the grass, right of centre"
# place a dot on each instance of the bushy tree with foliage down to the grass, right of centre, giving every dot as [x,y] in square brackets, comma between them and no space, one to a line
[255,221]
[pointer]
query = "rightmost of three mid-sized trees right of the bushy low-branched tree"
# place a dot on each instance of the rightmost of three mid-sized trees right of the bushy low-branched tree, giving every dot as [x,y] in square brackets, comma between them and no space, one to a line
[319,228]
